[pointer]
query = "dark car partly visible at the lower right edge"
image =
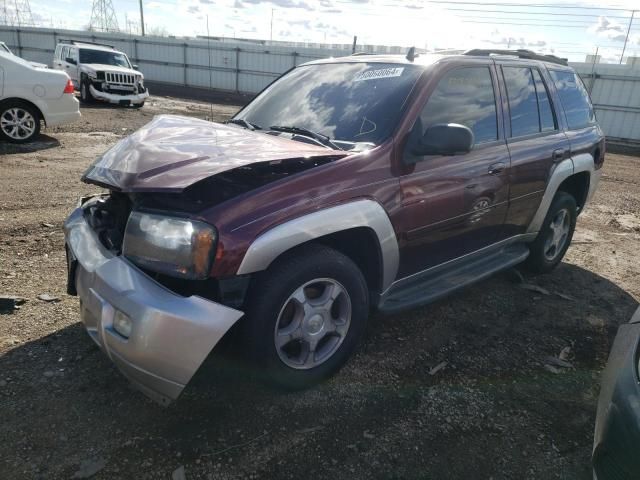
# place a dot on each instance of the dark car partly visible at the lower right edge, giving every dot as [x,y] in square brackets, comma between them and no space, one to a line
[617,431]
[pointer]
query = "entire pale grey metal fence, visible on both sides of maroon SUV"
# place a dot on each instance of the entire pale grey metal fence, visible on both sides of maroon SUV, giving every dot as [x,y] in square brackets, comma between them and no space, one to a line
[248,68]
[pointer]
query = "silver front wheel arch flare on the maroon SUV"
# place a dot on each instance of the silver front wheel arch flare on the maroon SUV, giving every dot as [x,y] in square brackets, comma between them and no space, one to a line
[360,230]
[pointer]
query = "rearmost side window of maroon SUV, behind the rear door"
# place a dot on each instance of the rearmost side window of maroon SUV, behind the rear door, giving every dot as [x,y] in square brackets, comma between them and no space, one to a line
[574,98]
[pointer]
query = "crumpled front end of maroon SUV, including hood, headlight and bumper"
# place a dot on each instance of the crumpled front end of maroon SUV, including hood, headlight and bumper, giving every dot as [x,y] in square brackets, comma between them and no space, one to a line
[140,257]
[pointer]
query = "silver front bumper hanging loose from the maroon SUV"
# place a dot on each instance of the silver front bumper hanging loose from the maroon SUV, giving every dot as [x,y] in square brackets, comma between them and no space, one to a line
[171,334]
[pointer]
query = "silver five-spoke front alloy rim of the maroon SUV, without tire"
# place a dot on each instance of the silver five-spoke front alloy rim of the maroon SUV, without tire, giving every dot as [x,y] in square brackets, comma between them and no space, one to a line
[312,323]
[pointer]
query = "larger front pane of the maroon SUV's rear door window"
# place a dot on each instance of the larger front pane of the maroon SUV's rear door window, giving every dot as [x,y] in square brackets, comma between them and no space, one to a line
[523,101]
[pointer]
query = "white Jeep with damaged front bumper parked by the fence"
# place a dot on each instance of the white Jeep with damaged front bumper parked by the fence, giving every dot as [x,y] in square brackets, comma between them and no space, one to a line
[100,72]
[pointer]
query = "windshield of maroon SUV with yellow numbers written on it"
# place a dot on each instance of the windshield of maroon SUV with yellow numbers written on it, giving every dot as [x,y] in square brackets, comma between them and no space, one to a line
[350,102]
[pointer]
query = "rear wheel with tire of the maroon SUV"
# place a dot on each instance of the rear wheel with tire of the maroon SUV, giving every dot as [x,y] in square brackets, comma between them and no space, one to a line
[554,238]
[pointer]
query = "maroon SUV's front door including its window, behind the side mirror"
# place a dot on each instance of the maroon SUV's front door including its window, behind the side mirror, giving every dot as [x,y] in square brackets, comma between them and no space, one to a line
[454,205]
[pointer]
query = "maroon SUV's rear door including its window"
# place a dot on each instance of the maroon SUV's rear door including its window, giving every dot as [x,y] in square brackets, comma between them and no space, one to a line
[534,138]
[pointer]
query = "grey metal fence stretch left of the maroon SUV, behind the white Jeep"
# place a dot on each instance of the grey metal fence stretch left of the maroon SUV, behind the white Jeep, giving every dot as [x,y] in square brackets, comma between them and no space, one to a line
[223,65]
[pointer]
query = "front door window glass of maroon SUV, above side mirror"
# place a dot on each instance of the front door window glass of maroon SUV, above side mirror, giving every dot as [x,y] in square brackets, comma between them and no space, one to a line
[464,95]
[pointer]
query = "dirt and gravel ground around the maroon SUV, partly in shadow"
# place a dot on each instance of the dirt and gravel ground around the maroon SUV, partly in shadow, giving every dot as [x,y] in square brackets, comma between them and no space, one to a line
[458,389]
